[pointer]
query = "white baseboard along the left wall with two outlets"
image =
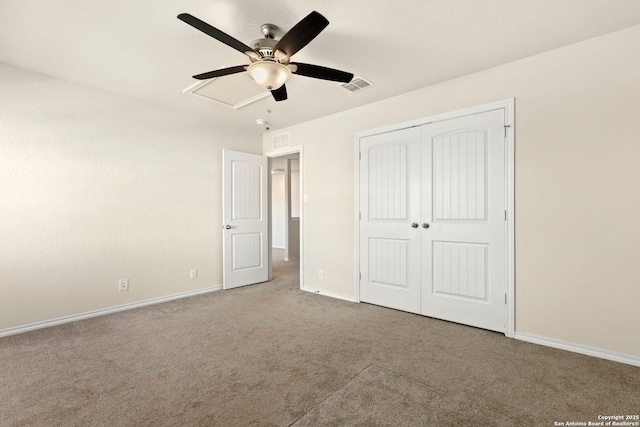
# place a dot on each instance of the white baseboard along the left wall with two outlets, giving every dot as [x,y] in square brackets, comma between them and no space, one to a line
[95,313]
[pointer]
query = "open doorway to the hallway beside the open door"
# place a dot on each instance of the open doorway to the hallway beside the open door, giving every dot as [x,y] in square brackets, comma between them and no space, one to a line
[285,207]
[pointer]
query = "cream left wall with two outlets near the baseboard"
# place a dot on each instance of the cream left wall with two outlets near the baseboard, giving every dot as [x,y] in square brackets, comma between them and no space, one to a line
[95,187]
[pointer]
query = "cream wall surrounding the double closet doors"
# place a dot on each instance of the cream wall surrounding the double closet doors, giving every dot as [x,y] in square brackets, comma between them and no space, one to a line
[577,185]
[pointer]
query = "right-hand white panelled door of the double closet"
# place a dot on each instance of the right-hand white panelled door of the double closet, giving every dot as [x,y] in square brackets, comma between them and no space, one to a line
[463,197]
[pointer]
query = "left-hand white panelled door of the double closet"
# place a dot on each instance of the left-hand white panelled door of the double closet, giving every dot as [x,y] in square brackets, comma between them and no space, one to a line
[389,204]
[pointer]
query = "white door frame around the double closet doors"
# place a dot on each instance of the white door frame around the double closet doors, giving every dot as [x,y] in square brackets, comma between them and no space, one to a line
[508,105]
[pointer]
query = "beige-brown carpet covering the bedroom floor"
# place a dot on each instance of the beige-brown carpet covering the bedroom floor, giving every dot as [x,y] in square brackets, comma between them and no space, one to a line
[271,354]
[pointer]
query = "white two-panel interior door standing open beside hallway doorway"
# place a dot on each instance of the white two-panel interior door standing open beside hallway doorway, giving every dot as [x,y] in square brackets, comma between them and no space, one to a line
[245,218]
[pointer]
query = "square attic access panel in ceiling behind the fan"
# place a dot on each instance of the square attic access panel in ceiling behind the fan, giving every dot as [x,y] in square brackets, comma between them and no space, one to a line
[236,91]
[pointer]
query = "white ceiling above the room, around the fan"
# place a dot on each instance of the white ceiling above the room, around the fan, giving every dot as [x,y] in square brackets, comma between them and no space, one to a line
[141,50]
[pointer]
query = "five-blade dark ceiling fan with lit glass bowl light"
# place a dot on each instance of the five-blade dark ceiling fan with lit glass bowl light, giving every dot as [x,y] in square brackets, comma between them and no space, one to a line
[270,58]
